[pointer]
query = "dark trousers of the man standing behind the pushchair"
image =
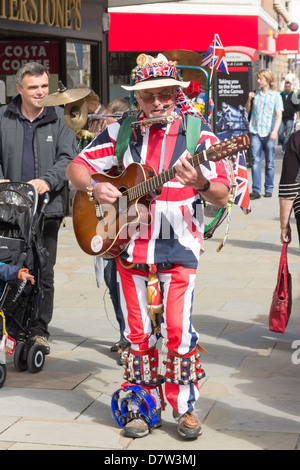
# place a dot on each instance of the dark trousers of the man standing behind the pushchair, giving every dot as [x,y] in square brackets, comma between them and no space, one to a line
[50,236]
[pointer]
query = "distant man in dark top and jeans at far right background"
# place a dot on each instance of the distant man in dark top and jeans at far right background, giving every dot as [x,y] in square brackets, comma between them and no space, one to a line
[290,108]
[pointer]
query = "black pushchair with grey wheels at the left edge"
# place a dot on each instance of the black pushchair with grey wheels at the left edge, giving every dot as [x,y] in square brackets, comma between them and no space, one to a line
[21,244]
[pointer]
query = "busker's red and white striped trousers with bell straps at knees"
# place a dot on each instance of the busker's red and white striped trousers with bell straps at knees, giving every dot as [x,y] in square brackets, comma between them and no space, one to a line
[183,369]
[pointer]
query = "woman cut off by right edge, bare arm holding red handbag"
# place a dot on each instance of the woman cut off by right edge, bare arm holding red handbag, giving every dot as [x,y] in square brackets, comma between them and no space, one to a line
[289,187]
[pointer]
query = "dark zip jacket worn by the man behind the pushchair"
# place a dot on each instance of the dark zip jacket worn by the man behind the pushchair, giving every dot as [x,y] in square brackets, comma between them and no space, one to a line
[54,148]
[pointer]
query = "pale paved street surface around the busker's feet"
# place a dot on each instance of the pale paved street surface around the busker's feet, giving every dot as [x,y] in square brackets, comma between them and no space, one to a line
[250,397]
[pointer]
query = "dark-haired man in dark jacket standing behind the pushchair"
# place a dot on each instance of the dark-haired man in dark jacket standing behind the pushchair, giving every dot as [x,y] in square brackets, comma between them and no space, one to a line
[36,146]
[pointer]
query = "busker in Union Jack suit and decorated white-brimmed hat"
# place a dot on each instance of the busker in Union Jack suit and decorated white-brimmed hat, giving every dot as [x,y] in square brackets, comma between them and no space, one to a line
[170,246]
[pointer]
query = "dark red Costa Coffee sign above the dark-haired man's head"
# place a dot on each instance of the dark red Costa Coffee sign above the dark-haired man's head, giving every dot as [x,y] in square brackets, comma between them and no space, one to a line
[15,54]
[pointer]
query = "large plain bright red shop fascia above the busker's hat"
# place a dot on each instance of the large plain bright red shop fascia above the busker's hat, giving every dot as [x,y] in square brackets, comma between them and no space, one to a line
[182,31]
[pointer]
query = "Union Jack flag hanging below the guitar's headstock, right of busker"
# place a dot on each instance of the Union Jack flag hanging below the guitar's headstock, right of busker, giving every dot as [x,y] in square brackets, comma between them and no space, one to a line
[242,197]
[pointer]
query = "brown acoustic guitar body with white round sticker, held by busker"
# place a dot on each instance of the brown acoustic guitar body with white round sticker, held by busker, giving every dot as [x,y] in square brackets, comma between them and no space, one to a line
[106,229]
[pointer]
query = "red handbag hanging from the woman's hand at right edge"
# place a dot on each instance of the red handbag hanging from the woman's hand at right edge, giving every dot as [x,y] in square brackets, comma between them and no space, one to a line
[281,306]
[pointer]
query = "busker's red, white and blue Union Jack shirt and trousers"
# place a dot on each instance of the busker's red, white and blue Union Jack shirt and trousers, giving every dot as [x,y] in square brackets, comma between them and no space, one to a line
[175,236]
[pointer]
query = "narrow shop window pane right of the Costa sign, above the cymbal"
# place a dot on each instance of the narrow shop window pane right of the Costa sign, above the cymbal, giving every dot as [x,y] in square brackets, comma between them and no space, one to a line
[78,65]
